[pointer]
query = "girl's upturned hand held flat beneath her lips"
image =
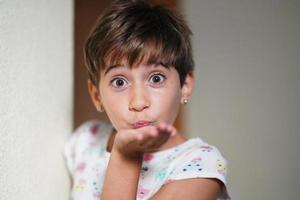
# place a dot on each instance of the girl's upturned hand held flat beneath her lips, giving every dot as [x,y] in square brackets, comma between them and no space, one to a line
[135,142]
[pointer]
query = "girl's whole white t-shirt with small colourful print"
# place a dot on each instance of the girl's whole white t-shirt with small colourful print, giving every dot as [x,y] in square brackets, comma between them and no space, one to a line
[87,160]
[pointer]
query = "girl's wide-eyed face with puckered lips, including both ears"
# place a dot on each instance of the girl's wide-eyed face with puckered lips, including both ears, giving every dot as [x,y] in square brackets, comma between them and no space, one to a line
[140,96]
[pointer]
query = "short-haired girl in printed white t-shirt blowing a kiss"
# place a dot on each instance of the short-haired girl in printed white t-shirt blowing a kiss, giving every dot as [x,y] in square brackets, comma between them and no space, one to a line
[140,67]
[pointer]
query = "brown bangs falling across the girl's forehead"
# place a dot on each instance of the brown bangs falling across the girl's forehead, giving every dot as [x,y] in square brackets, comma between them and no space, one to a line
[137,51]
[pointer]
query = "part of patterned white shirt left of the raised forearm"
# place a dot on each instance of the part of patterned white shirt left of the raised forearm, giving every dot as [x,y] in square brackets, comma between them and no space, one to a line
[85,156]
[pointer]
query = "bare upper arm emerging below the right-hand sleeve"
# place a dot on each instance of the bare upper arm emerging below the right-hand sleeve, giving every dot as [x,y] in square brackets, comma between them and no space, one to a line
[192,189]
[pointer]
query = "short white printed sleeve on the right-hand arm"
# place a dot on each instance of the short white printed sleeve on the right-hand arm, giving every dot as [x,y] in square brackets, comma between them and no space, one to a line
[203,162]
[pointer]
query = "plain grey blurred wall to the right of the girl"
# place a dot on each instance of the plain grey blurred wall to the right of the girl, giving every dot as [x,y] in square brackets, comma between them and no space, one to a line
[247,99]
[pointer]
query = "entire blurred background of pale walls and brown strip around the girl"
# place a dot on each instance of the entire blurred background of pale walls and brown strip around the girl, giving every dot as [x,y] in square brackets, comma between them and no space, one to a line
[246,101]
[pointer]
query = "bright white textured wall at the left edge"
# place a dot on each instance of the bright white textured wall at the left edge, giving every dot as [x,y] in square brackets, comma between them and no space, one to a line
[36,73]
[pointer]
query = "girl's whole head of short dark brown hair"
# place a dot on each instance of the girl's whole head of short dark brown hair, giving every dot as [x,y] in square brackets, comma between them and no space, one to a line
[137,31]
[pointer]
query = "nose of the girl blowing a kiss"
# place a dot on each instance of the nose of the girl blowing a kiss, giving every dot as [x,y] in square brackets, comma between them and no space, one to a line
[139,100]
